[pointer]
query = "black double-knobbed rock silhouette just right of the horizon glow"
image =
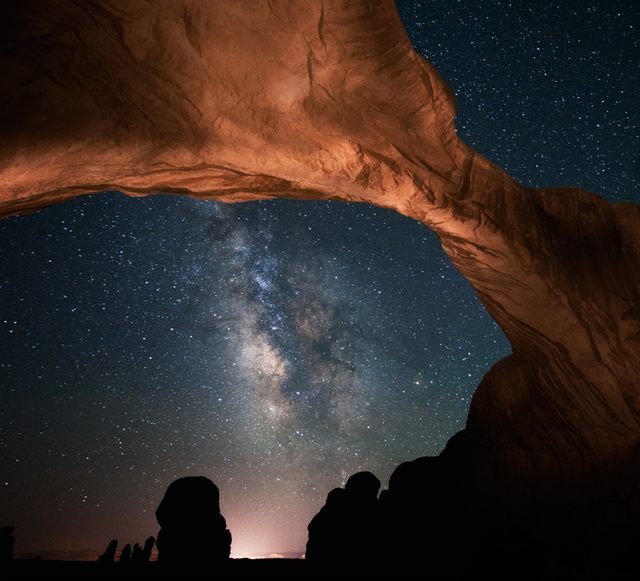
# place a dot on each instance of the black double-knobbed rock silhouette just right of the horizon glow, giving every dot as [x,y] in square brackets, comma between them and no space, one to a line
[348,528]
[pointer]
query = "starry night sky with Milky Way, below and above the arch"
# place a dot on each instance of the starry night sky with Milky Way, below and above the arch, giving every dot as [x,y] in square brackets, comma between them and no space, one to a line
[278,347]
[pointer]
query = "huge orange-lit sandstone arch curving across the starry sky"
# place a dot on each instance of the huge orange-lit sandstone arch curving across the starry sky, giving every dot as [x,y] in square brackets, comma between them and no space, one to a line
[237,101]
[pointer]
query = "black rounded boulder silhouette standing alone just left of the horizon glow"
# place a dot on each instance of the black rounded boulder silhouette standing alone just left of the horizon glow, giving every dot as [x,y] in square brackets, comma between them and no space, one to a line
[193,532]
